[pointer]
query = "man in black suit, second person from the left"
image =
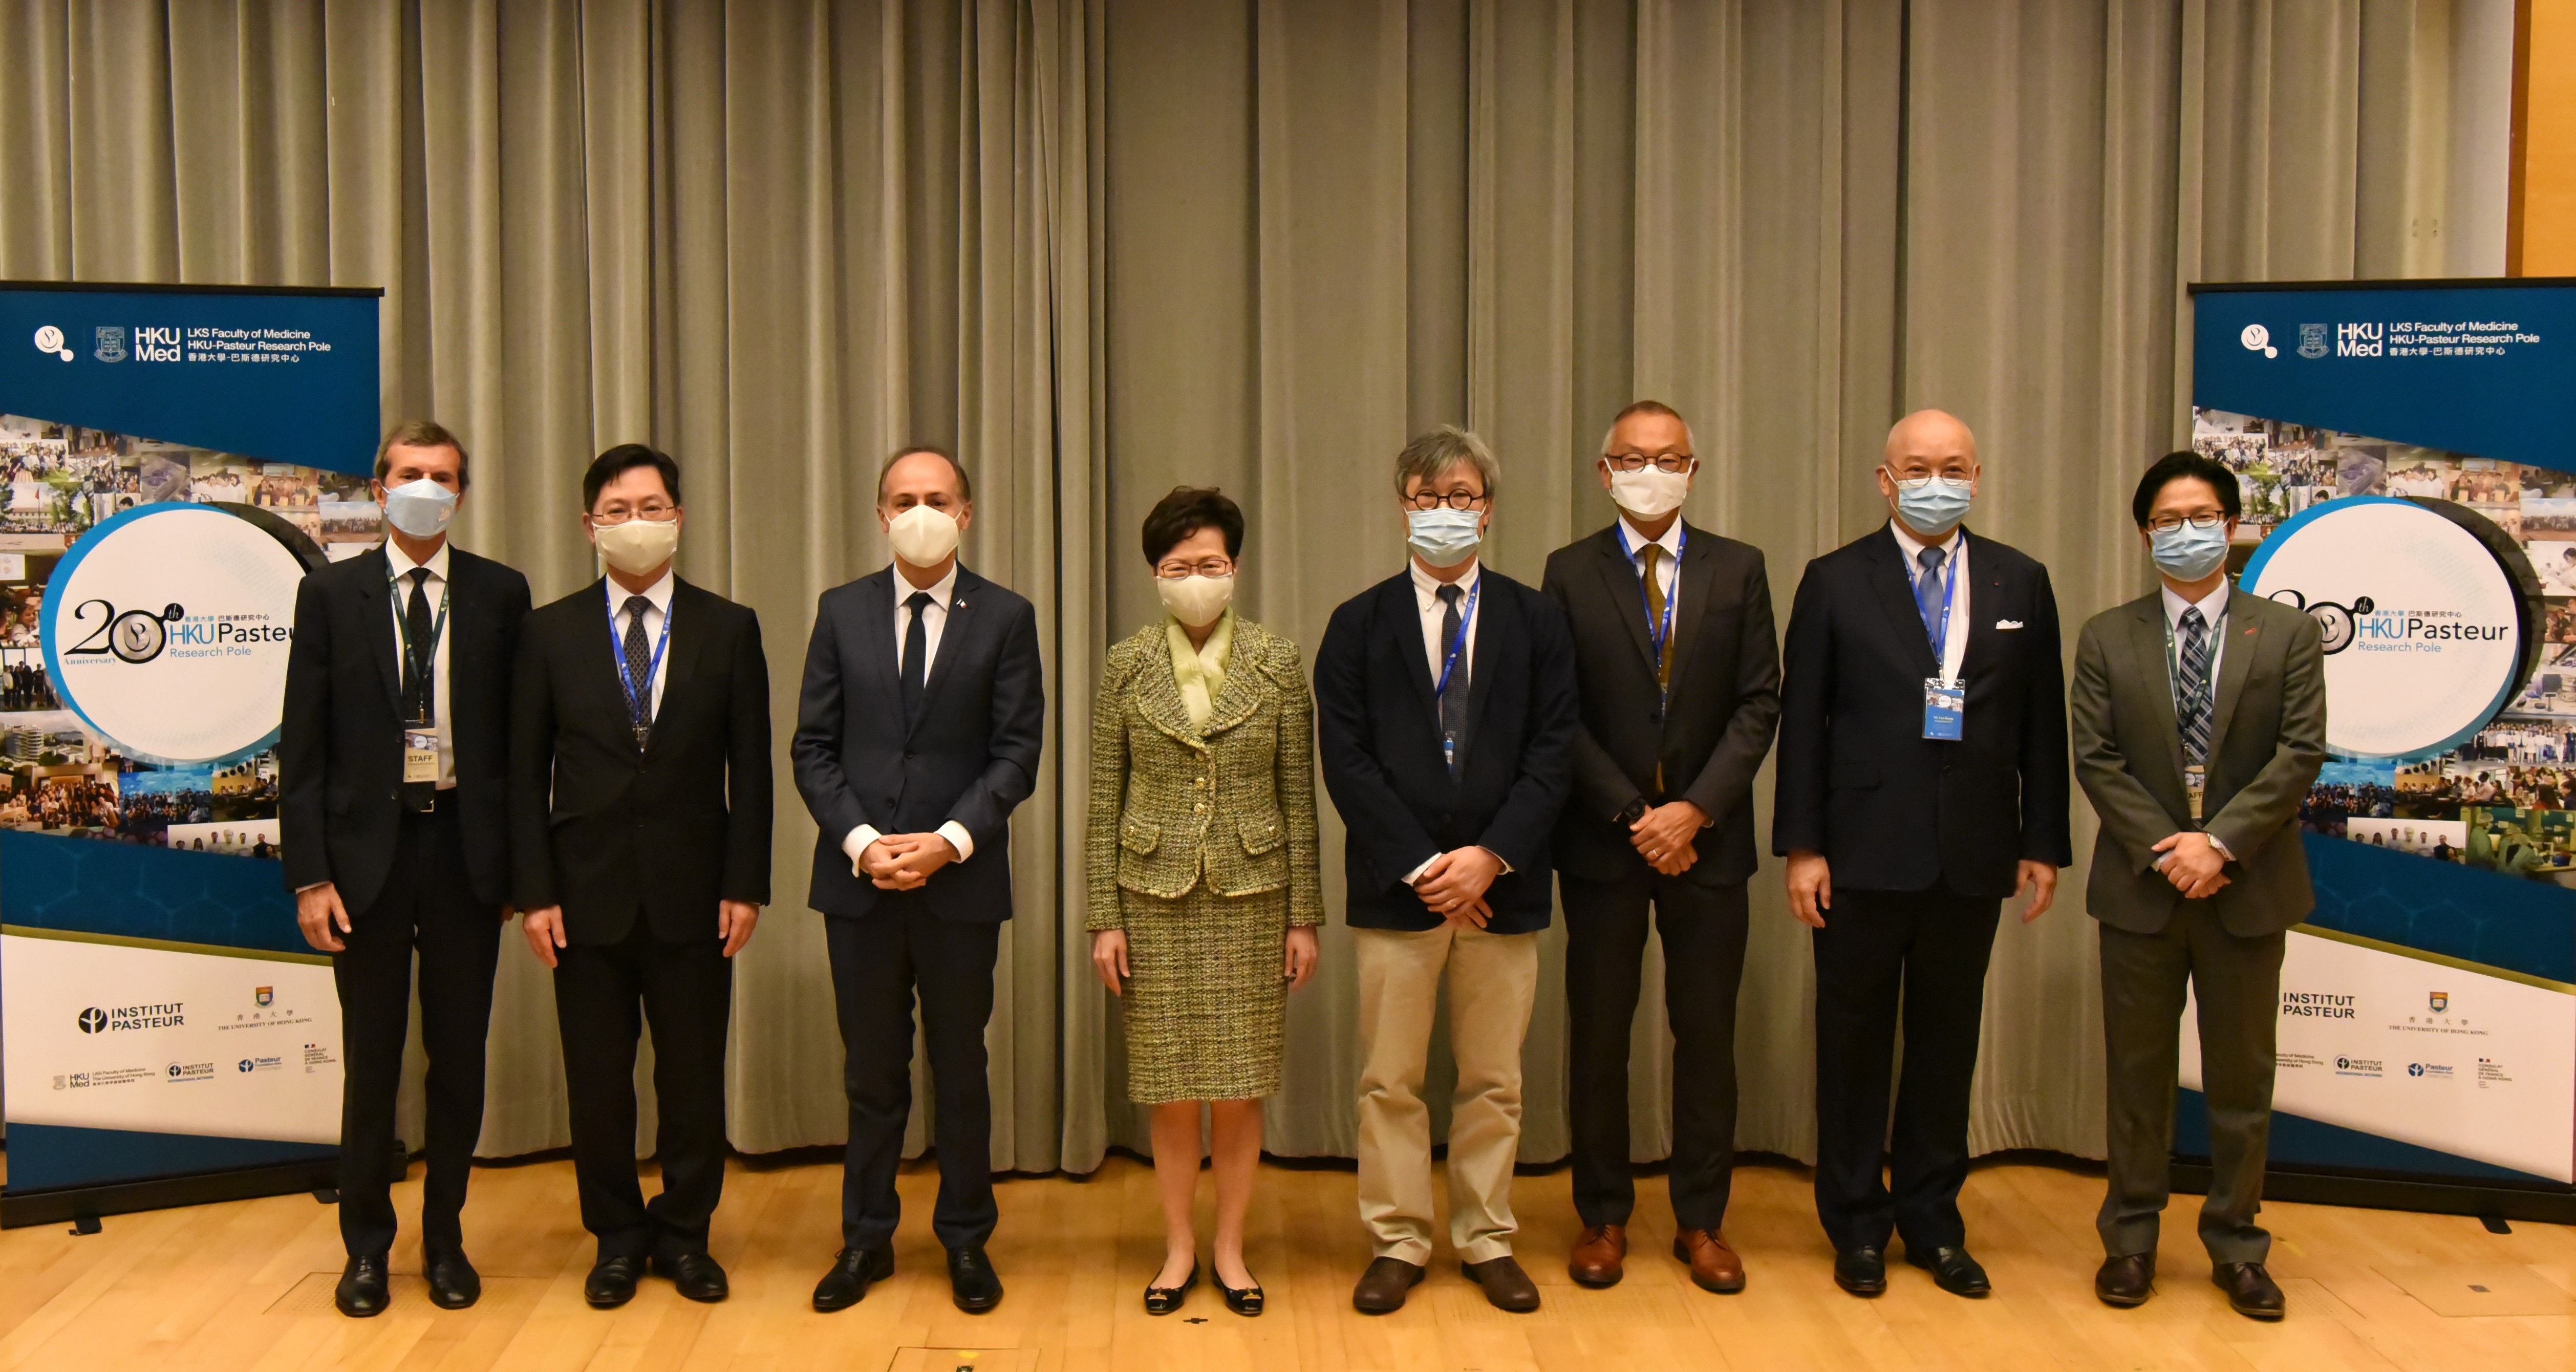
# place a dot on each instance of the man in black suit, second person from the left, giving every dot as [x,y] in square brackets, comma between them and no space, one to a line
[640,835]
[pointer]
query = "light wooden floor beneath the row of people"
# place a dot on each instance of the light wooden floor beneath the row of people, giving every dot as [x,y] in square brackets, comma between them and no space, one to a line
[249,1286]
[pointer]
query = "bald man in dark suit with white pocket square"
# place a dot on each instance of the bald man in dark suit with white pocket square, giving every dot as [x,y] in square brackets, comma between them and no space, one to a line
[1923,779]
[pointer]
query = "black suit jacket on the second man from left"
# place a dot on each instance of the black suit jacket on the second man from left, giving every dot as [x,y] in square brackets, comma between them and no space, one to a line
[666,833]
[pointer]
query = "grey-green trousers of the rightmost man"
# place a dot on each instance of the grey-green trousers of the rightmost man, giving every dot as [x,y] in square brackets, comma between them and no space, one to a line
[2237,987]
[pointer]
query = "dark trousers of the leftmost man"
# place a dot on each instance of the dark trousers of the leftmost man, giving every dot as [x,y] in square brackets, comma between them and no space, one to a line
[426,907]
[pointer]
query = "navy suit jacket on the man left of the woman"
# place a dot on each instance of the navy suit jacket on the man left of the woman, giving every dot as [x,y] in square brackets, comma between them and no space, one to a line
[970,758]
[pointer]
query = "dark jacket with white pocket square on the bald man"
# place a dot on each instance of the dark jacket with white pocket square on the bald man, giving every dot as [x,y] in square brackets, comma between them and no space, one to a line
[1861,784]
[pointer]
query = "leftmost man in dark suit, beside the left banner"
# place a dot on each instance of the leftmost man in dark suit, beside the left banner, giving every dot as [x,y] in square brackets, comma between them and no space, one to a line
[393,804]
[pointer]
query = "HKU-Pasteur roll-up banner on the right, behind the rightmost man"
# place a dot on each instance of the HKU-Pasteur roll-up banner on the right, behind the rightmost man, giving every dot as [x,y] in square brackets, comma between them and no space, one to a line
[2407,465]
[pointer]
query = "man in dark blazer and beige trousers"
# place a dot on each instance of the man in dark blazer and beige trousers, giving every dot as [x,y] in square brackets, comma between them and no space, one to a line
[1446,712]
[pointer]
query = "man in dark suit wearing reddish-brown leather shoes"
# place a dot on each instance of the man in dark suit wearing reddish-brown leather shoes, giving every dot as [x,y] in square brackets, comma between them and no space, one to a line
[1681,694]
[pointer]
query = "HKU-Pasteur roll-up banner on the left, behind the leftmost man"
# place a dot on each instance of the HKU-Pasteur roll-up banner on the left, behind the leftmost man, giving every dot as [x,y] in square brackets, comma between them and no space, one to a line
[171,462]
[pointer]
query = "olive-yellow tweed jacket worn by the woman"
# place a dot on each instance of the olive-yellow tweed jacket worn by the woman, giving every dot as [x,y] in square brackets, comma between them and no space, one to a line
[1230,802]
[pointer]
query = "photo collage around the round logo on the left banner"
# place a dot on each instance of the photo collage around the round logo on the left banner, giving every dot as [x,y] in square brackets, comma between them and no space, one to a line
[58,776]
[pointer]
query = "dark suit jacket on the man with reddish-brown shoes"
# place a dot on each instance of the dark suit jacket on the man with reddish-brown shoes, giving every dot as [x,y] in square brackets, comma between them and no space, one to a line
[1722,714]
